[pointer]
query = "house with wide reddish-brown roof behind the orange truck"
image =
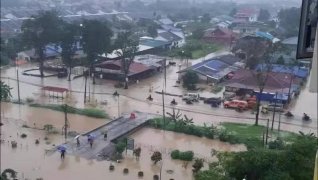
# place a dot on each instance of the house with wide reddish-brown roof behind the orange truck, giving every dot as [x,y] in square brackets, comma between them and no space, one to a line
[281,83]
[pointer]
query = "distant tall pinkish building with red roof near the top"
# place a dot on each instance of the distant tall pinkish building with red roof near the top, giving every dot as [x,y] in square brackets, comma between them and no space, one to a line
[246,15]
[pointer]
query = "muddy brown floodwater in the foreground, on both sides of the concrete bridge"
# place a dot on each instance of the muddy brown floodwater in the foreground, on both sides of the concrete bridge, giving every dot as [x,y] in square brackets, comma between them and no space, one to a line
[30,160]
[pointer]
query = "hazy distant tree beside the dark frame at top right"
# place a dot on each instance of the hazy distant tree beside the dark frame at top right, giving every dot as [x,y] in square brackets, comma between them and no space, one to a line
[289,20]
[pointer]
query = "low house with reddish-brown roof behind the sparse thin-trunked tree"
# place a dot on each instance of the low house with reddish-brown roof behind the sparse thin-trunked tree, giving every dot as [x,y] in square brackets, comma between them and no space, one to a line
[112,70]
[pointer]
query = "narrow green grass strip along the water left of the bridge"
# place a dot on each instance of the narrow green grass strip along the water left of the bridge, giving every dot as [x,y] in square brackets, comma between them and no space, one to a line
[90,112]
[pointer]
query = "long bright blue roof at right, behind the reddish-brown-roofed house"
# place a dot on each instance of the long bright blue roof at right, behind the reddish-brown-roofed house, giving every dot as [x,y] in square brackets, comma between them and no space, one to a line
[296,70]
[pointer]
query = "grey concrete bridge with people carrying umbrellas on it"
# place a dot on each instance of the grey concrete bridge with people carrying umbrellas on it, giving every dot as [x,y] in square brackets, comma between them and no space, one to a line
[102,149]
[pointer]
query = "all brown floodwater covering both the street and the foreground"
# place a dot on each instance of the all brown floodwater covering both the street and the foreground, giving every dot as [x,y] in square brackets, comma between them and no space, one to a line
[31,161]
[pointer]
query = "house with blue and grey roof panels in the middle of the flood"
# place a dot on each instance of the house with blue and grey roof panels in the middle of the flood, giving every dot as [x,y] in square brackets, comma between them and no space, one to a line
[216,69]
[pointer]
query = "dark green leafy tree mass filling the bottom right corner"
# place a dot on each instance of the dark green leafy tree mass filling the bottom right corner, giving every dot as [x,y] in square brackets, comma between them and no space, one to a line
[274,164]
